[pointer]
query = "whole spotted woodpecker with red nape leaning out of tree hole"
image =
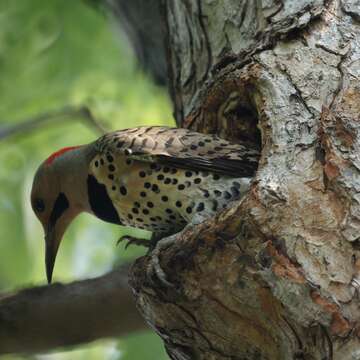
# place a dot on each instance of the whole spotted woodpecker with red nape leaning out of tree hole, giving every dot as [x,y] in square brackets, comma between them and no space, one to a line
[155,178]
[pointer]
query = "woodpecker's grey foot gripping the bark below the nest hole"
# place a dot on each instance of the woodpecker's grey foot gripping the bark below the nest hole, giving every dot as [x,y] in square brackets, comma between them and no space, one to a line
[154,267]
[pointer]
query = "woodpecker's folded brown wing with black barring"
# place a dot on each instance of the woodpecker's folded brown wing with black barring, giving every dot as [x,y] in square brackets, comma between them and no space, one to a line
[181,148]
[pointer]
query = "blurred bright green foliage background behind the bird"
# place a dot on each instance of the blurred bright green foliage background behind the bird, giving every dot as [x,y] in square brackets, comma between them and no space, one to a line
[55,53]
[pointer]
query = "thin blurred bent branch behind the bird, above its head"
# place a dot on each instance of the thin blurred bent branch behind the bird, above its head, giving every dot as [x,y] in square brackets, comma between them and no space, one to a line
[67,112]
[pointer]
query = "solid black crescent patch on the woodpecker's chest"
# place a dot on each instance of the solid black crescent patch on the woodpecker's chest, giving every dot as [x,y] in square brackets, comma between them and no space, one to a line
[100,201]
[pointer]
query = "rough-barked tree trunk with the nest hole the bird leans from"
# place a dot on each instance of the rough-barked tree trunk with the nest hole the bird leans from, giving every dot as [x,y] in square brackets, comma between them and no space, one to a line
[276,275]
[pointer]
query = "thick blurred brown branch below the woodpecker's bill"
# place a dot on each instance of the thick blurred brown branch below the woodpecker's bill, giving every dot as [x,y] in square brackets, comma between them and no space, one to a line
[42,318]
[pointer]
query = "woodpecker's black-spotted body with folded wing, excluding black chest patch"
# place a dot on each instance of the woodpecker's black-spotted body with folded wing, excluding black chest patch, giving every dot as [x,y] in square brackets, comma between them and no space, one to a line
[158,177]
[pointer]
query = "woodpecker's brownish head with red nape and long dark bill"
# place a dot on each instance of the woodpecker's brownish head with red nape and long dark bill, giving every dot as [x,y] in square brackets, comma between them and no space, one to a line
[56,198]
